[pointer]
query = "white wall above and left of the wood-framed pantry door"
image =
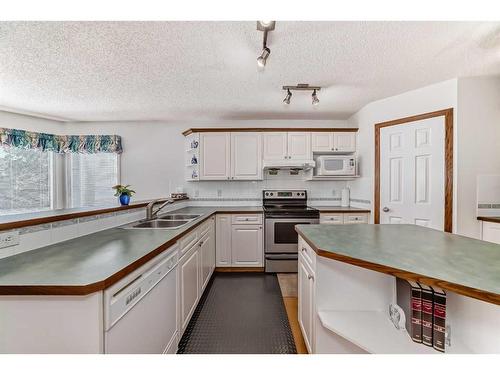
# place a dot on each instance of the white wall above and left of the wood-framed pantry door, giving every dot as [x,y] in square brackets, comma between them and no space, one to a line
[427,99]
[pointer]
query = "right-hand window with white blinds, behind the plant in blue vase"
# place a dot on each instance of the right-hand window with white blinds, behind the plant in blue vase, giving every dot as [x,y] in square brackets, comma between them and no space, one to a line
[91,177]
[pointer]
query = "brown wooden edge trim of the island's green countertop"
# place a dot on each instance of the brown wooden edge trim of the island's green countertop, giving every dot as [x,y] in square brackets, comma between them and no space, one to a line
[452,287]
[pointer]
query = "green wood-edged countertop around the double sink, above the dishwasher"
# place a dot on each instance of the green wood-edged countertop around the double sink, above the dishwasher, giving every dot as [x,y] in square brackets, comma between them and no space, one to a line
[90,263]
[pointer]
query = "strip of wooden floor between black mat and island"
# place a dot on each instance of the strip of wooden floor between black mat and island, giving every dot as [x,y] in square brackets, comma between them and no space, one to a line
[288,286]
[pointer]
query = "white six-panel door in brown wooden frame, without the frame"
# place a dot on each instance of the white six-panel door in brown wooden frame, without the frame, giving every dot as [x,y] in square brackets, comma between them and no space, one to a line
[412,172]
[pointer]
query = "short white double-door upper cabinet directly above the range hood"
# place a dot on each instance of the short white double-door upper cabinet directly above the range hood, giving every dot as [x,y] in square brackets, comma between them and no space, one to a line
[291,145]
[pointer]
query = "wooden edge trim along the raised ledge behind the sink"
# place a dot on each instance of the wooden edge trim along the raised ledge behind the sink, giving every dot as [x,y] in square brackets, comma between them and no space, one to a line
[75,215]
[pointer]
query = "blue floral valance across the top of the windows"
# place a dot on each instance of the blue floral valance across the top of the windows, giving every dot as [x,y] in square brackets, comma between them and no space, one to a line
[89,144]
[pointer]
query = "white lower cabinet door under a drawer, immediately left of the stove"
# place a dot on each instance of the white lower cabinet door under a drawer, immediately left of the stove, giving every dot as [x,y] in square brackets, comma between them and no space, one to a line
[246,246]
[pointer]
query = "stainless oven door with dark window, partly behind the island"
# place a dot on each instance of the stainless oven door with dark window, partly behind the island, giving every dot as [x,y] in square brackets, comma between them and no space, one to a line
[280,234]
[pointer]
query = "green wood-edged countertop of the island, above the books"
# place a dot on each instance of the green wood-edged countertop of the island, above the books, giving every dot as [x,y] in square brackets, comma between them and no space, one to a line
[460,264]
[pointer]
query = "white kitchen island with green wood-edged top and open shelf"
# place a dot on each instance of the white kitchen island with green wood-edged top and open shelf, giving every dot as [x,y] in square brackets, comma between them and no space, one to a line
[347,280]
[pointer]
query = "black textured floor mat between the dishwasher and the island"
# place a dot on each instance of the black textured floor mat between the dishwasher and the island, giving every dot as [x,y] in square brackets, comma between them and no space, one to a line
[239,313]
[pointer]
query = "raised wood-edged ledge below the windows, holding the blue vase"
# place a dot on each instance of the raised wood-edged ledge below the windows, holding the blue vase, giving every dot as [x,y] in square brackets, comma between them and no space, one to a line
[8,222]
